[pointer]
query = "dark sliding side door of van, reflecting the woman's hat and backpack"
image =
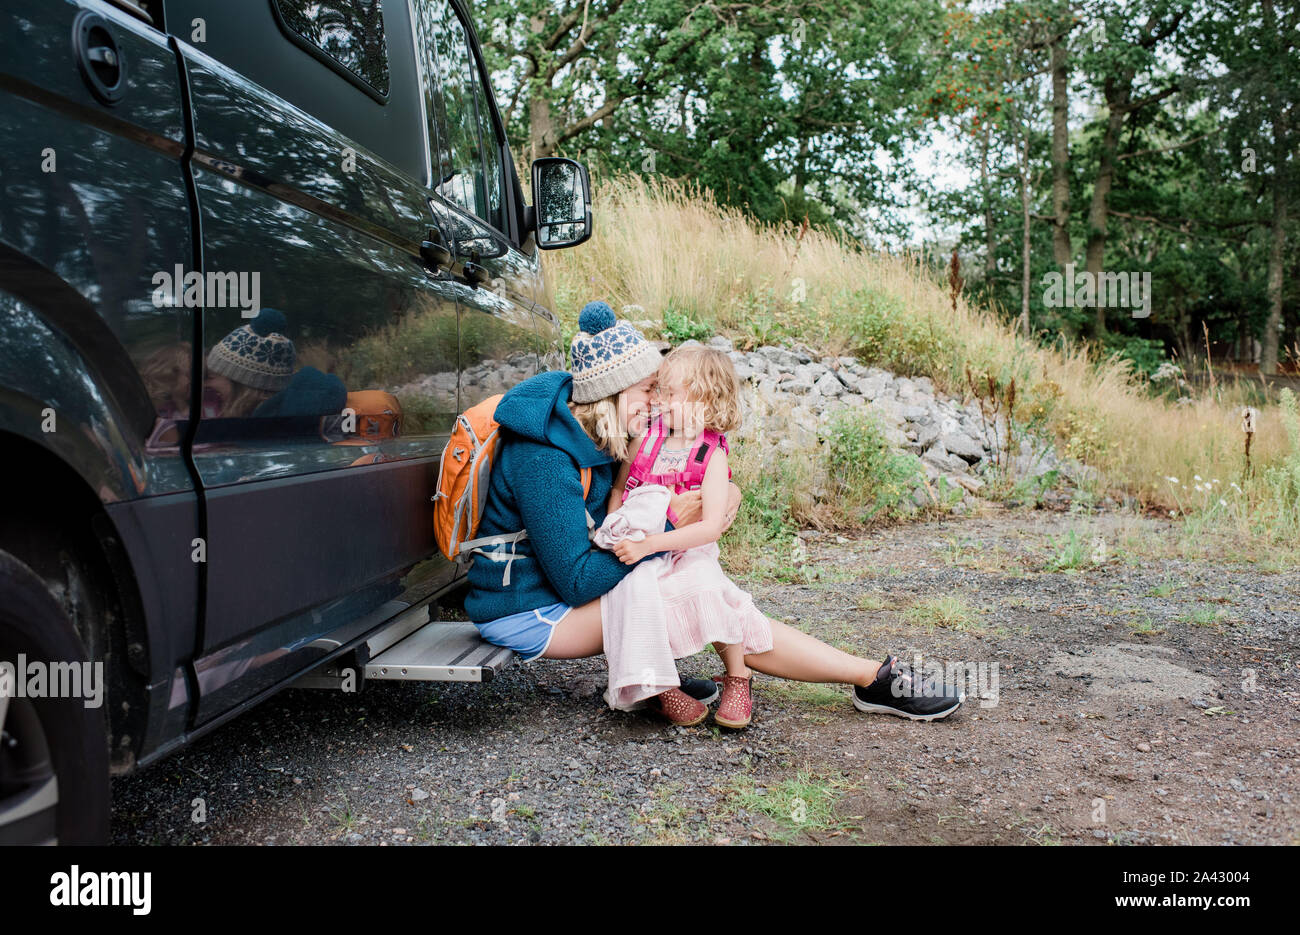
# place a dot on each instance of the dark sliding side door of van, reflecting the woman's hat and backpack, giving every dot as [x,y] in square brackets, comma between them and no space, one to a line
[332,378]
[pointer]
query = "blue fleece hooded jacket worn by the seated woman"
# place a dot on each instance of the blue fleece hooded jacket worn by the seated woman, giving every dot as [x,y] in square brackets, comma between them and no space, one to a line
[536,486]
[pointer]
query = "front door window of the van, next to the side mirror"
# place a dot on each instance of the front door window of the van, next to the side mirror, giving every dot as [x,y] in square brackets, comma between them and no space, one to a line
[467,166]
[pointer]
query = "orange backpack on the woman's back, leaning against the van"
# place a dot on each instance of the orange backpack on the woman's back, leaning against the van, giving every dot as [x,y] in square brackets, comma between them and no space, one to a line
[462,495]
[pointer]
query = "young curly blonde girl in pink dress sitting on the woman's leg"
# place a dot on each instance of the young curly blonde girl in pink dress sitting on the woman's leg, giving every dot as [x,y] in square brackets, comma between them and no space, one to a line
[684,448]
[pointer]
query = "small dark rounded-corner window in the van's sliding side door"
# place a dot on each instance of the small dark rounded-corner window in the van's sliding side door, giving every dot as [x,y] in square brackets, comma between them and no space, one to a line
[349,32]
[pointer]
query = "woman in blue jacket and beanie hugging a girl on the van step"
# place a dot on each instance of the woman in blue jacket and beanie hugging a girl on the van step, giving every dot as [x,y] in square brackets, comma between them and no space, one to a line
[543,599]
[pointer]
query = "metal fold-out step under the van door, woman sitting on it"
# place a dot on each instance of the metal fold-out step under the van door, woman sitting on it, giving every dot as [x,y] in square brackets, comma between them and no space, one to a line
[441,652]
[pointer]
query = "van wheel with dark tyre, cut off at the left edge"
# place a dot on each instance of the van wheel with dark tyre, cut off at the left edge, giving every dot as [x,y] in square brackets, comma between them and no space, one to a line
[54,752]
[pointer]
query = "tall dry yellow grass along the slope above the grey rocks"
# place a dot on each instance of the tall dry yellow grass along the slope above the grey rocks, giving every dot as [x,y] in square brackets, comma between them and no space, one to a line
[664,246]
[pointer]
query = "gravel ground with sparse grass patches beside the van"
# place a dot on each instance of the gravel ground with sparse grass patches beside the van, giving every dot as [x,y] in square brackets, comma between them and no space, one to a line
[1139,700]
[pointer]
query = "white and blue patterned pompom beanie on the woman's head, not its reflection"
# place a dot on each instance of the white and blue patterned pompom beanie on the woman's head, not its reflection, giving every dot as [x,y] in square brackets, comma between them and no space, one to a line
[609,356]
